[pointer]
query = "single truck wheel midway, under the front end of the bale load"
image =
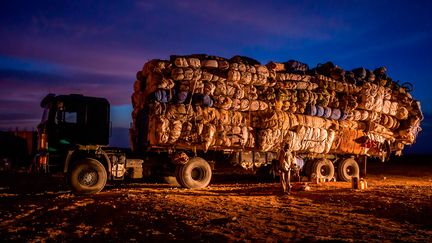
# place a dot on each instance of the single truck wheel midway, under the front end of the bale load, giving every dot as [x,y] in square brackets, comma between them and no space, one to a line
[195,174]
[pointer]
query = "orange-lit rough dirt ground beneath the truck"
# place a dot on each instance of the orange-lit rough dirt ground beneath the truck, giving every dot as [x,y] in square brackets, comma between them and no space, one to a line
[397,206]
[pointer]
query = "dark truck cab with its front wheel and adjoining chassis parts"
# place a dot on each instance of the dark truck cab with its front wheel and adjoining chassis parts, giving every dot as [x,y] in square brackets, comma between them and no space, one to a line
[73,138]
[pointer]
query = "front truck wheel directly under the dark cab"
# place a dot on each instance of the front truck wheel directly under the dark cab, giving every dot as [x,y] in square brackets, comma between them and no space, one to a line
[87,176]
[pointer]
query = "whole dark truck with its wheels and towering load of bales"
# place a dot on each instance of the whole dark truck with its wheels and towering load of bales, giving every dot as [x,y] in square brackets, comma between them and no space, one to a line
[194,113]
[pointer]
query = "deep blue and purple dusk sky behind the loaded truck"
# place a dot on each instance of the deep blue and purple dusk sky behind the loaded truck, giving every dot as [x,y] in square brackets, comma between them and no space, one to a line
[95,48]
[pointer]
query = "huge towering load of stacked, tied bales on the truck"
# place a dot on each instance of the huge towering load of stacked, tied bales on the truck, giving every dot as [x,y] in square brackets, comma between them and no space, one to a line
[208,102]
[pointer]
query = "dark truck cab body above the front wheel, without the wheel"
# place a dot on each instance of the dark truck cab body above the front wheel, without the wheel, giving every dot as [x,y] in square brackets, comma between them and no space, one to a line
[68,121]
